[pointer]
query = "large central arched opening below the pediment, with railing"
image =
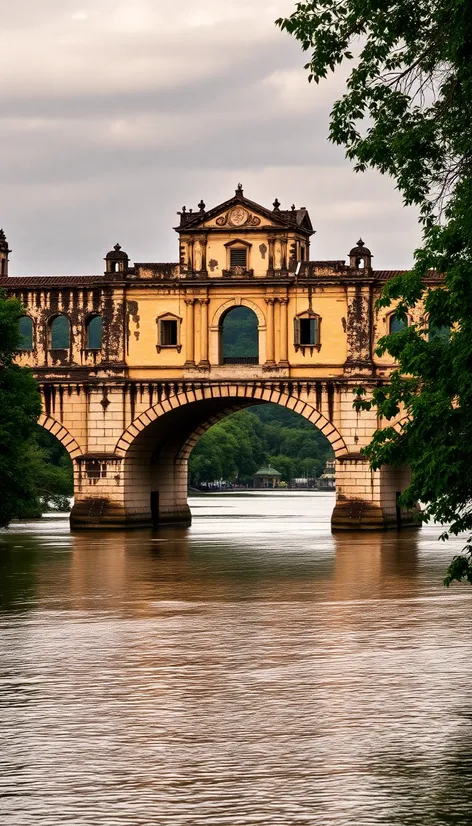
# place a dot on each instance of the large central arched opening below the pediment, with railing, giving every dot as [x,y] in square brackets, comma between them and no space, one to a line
[239,337]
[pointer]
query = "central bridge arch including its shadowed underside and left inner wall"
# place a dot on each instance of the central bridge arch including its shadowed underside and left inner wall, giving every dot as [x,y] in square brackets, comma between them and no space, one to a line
[154,449]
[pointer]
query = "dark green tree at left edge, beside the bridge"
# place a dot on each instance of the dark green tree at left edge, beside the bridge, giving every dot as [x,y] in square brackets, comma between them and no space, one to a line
[20,406]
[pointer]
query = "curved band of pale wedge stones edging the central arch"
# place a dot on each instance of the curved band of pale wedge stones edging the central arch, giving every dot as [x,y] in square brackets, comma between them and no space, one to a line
[238,395]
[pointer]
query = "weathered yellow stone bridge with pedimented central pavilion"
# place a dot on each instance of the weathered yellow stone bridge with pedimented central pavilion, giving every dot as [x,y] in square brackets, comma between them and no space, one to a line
[132,366]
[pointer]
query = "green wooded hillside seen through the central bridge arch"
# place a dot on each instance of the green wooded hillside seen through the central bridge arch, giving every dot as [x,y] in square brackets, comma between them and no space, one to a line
[235,448]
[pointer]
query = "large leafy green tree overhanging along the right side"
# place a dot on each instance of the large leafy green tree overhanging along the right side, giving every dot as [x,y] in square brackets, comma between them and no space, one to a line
[407,111]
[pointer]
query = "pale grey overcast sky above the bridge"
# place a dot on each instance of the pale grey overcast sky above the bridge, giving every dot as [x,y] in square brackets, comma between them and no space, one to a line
[115,113]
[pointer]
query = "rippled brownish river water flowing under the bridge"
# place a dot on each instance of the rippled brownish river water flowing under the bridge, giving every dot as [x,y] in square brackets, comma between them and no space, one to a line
[252,669]
